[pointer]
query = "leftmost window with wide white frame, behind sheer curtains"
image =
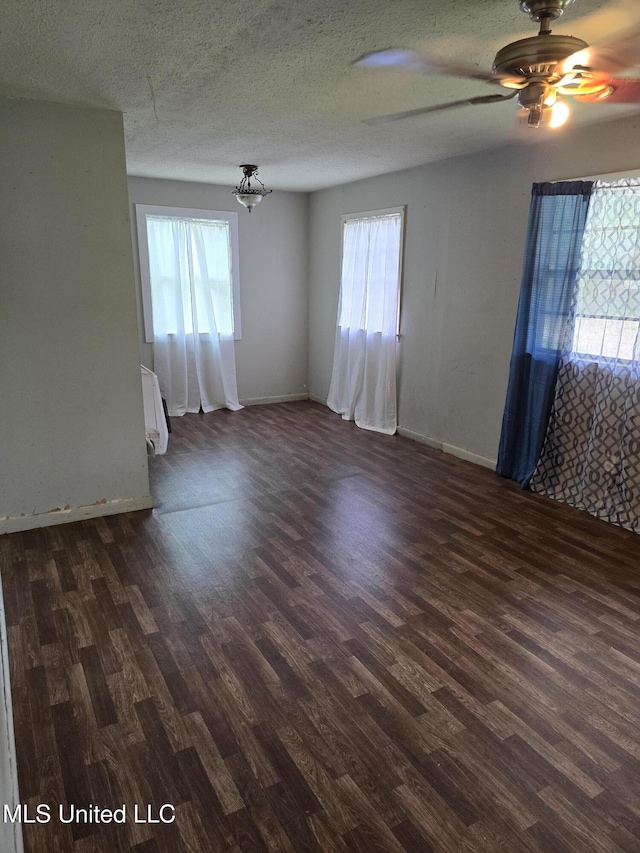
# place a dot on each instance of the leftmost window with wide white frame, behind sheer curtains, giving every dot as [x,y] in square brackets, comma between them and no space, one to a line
[179,245]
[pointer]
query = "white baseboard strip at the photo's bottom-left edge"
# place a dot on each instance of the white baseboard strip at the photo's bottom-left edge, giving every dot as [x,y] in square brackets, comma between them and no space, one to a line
[10,833]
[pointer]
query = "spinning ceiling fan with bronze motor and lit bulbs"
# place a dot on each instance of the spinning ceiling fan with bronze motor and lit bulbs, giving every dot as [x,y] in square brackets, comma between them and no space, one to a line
[541,71]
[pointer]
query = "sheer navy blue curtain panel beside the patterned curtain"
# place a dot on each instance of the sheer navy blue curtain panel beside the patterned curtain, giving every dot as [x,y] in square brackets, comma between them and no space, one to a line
[552,256]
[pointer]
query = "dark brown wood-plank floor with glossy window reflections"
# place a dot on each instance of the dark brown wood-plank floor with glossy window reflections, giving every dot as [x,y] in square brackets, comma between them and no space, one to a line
[327,640]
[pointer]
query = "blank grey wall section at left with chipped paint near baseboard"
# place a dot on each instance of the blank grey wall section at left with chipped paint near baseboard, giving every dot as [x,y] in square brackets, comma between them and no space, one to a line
[71,420]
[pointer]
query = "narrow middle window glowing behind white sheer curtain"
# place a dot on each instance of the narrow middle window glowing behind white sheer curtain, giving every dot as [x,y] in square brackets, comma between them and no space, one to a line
[371,271]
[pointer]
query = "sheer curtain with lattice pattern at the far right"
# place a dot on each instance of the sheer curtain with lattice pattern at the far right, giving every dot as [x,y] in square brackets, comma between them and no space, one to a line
[591,454]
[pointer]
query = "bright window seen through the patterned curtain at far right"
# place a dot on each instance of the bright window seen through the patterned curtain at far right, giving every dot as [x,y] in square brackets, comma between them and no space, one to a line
[607,312]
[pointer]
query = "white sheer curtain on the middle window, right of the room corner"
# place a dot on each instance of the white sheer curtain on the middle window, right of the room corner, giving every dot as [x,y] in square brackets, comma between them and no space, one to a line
[363,381]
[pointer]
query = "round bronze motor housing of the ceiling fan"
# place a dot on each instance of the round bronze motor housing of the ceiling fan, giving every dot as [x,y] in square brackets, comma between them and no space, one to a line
[536,58]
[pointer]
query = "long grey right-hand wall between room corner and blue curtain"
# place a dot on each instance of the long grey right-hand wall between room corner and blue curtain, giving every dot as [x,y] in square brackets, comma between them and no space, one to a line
[465,231]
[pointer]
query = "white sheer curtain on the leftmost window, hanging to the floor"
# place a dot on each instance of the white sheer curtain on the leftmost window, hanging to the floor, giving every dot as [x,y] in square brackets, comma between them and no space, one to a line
[194,356]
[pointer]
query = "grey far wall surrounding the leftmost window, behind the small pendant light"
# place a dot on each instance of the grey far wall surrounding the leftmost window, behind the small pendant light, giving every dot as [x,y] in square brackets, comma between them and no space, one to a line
[271,358]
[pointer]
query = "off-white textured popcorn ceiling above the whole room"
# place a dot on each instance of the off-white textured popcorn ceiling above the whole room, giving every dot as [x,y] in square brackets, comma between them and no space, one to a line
[205,85]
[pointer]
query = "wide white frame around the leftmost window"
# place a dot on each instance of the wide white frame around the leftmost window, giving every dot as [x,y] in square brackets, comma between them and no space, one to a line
[144,210]
